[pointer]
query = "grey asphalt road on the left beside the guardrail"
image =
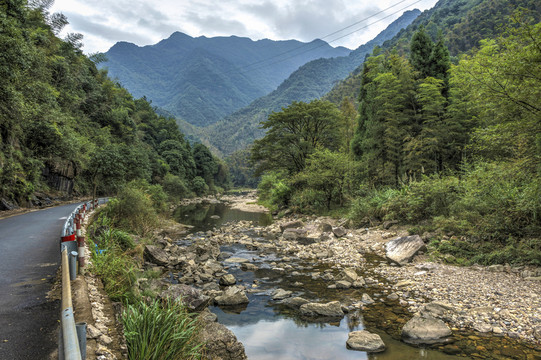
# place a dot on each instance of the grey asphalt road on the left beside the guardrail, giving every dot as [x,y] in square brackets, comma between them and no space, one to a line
[29,260]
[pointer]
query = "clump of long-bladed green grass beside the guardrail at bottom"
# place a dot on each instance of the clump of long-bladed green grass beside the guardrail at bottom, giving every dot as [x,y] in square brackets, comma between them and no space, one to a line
[161,330]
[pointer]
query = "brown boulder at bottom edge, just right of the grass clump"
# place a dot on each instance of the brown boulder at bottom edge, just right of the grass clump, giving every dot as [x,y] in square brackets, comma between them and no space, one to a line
[220,343]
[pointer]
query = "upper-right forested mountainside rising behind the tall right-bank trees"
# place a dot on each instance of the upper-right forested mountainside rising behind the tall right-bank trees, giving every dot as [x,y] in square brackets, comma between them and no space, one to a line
[461,23]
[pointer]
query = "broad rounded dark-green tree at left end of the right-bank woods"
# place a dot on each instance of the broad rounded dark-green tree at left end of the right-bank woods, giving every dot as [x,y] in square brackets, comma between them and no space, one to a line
[294,133]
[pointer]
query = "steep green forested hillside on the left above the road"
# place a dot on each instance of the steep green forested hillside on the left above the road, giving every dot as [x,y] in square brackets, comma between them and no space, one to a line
[65,126]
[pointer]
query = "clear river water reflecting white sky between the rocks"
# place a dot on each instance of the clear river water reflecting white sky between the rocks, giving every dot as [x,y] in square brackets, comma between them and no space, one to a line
[270,330]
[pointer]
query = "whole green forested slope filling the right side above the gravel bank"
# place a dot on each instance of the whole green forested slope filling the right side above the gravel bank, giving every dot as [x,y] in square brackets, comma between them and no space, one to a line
[450,147]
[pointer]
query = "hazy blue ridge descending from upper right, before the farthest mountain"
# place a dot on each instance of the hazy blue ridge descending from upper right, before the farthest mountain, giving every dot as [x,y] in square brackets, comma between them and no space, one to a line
[311,81]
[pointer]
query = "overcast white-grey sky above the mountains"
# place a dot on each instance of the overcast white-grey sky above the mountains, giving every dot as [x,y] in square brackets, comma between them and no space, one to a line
[145,22]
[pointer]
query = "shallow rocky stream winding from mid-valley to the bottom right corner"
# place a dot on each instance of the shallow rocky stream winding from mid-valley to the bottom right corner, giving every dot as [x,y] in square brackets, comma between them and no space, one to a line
[269,329]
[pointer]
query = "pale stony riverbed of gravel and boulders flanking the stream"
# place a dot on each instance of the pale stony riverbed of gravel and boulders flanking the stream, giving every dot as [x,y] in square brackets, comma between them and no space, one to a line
[466,307]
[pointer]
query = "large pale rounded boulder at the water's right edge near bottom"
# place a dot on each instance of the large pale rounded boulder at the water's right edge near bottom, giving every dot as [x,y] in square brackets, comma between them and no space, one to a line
[425,330]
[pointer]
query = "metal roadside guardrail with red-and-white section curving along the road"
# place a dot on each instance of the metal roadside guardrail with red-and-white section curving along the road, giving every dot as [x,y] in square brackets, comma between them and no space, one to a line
[72,339]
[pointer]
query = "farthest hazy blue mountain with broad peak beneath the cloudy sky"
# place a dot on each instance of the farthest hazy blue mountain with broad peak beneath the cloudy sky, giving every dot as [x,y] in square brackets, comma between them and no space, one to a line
[202,79]
